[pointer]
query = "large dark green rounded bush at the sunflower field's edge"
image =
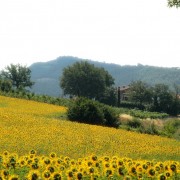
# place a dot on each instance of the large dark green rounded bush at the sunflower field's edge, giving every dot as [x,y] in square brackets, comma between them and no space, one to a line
[91,112]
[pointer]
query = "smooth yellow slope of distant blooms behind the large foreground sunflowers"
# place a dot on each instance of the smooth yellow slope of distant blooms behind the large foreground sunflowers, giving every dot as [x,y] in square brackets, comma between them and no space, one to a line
[27,125]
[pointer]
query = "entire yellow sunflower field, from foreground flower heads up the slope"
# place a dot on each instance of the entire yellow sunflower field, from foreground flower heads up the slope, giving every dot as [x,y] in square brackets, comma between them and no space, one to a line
[36,142]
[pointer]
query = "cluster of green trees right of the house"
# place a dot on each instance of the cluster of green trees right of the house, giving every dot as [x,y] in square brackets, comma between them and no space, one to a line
[155,98]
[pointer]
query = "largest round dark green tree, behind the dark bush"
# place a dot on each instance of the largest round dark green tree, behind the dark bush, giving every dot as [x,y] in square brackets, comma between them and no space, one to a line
[86,80]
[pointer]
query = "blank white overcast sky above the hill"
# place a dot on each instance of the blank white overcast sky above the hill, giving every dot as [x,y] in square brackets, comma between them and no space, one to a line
[112,31]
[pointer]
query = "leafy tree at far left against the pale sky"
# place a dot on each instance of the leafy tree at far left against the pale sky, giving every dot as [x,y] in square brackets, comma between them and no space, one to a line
[20,76]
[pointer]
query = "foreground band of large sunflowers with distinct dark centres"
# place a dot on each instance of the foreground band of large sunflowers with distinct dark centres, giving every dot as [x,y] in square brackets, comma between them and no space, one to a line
[34,167]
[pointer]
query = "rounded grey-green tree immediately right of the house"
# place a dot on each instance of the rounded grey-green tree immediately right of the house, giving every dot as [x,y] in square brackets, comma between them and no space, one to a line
[140,92]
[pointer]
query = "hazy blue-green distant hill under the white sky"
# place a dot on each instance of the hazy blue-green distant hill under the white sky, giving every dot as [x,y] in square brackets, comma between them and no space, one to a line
[46,75]
